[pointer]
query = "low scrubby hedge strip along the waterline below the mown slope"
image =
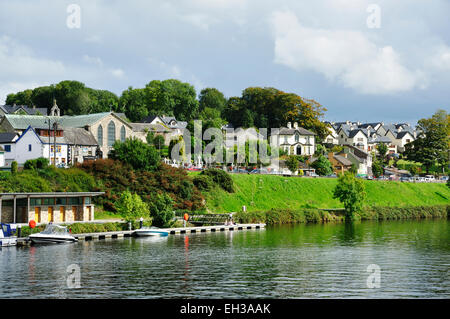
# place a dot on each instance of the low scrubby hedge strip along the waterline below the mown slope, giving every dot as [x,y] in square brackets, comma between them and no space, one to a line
[289,216]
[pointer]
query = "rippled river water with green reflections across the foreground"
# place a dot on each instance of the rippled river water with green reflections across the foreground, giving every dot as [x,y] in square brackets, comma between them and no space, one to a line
[301,261]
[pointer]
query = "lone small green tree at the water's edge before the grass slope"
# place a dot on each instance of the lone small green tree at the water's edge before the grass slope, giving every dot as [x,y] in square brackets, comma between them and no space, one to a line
[351,192]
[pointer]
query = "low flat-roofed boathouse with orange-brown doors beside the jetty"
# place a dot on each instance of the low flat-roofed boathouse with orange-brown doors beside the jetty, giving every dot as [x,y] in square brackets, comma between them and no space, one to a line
[57,207]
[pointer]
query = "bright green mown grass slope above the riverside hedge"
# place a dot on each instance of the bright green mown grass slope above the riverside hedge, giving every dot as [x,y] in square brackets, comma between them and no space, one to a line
[263,192]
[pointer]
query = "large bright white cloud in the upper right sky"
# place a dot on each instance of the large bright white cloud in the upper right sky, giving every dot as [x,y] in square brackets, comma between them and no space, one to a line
[342,55]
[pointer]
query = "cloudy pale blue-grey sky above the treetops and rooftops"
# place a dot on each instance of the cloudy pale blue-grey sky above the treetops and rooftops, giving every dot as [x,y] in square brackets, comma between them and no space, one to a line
[327,50]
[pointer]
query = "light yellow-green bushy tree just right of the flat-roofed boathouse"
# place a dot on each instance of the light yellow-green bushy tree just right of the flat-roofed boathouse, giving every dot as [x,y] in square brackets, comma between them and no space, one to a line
[131,207]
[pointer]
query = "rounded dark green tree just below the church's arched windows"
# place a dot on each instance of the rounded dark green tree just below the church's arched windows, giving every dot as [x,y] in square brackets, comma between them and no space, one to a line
[138,154]
